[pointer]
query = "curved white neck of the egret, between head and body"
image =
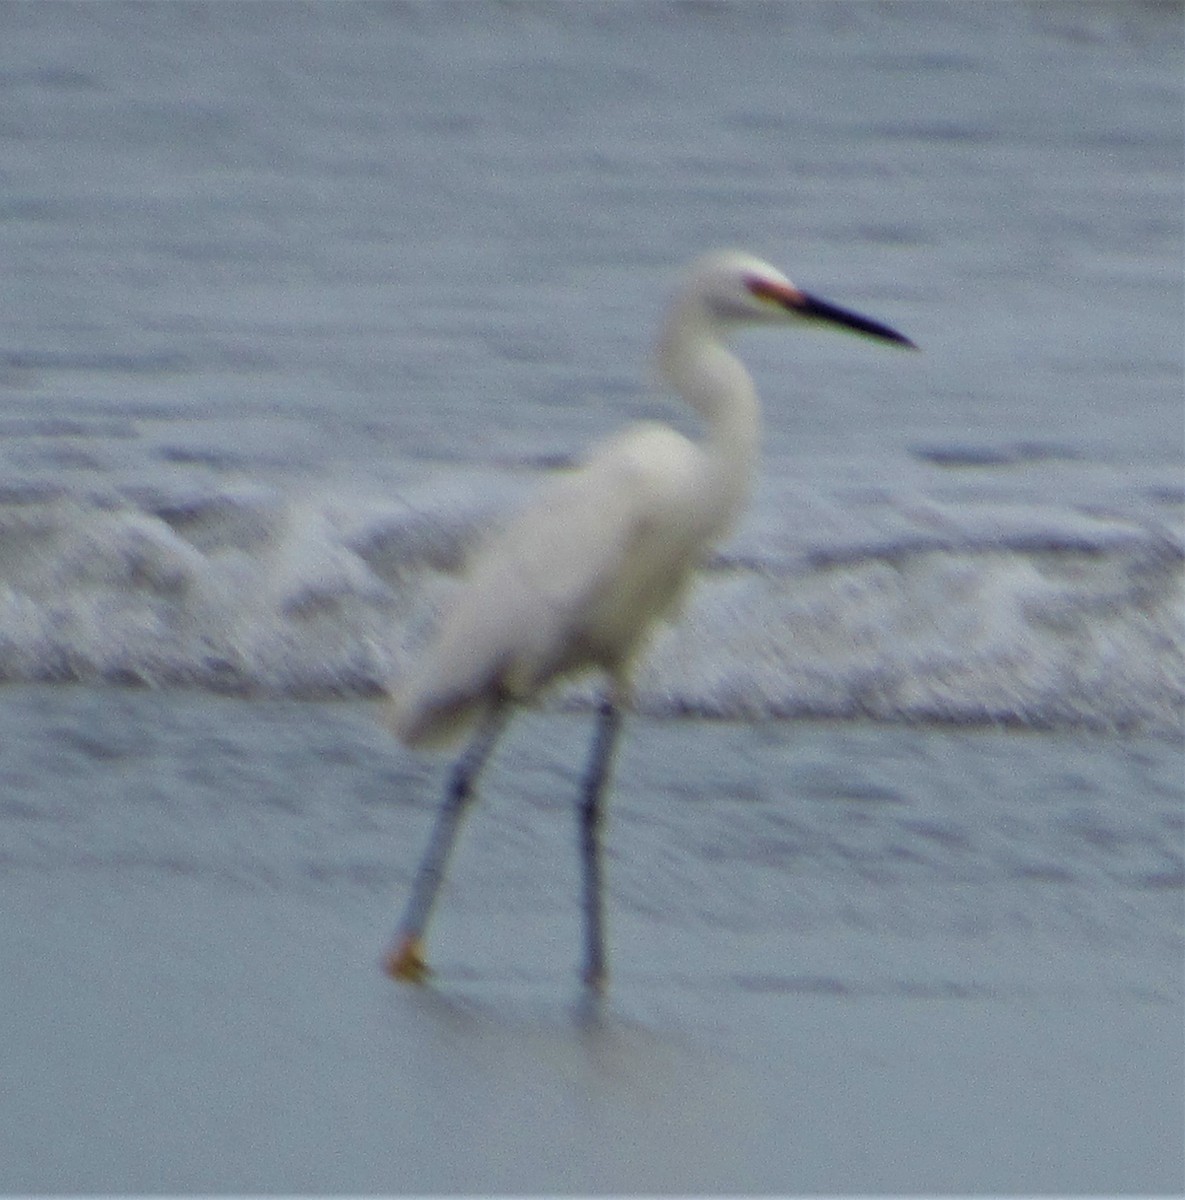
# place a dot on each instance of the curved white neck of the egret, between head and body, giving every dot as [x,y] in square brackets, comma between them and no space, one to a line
[696,363]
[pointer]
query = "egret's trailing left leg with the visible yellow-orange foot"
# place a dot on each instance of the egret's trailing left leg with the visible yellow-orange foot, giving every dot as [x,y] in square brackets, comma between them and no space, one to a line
[406,959]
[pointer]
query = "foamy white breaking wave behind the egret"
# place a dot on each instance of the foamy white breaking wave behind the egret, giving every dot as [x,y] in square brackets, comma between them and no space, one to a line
[1028,617]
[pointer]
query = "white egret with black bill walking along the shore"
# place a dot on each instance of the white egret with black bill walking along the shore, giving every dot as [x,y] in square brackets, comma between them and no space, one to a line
[582,577]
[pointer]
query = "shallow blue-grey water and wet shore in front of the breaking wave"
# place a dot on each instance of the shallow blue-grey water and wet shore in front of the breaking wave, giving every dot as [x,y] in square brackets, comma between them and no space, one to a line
[840,953]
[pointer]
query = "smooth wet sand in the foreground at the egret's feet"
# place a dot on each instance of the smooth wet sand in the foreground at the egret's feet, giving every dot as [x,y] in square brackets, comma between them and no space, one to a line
[170,1035]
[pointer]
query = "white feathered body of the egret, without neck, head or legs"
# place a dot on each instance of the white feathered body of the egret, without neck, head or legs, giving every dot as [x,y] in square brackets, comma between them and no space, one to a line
[576,581]
